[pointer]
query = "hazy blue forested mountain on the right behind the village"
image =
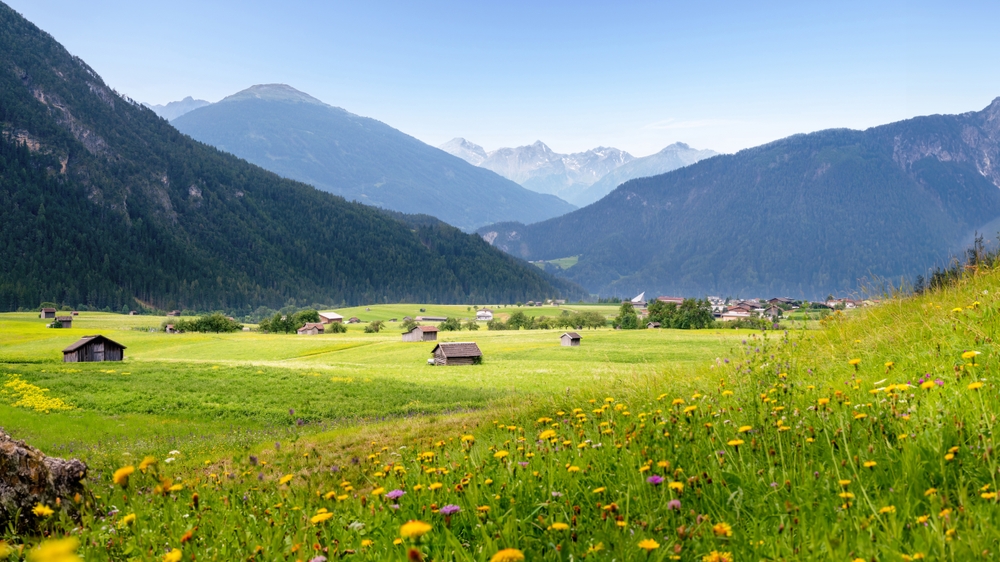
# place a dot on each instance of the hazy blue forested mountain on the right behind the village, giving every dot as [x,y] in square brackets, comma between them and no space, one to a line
[803,216]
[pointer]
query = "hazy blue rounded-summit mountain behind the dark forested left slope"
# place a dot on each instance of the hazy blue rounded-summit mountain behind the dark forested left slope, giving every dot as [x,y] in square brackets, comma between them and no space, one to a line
[297,136]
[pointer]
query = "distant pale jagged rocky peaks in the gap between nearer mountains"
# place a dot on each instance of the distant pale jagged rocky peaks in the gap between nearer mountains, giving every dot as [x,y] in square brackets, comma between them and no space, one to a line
[580,178]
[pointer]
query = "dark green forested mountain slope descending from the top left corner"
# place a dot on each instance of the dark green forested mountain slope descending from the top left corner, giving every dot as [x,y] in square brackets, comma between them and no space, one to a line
[103,202]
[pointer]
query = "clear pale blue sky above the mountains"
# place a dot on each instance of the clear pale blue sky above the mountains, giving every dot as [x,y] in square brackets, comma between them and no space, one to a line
[635,75]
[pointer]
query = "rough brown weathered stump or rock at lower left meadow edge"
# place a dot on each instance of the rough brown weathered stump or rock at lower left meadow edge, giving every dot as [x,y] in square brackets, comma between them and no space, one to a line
[29,478]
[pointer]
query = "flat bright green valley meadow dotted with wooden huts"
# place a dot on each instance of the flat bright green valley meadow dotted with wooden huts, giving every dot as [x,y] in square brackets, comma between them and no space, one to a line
[172,386]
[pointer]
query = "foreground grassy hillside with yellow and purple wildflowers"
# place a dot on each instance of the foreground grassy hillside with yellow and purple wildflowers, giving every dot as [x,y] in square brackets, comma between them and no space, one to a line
[872,439]
